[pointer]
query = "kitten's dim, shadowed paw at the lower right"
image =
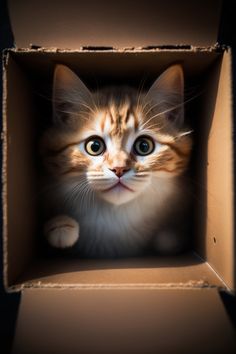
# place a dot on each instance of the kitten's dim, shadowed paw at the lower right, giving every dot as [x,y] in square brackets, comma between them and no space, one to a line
[168,242]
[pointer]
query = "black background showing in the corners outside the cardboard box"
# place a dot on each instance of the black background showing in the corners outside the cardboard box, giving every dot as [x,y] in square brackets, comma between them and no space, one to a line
[9,302]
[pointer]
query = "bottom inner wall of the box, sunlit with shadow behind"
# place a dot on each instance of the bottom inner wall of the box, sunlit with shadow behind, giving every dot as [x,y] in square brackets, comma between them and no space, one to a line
[187,271]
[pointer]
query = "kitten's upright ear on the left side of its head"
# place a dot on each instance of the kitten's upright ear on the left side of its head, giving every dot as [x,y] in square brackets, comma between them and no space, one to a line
[70,95]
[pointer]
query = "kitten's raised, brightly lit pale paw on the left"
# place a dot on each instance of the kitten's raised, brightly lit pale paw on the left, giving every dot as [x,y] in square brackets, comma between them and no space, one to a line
[61,231]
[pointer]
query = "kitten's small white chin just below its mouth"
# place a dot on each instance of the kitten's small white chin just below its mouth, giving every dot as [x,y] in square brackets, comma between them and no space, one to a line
[118,195]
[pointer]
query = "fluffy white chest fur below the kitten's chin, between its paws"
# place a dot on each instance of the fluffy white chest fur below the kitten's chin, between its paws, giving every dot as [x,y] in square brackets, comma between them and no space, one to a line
[125,229]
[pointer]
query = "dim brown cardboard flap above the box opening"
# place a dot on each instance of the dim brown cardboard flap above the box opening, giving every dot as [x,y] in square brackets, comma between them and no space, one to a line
[74,24]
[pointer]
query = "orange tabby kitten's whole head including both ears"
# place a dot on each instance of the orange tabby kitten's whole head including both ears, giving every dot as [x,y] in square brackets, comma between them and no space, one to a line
[117,142]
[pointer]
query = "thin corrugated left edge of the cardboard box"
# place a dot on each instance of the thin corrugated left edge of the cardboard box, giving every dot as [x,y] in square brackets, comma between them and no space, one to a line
[4,170]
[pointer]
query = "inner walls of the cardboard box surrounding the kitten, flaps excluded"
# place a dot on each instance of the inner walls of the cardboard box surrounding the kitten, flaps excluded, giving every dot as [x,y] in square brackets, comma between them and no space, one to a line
[209,261]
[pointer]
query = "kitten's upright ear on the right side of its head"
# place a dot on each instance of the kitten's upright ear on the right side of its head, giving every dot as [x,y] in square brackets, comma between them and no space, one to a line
[166,95]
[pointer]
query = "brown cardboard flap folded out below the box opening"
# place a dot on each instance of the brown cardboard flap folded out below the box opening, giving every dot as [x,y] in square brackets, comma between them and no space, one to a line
[123,321]
